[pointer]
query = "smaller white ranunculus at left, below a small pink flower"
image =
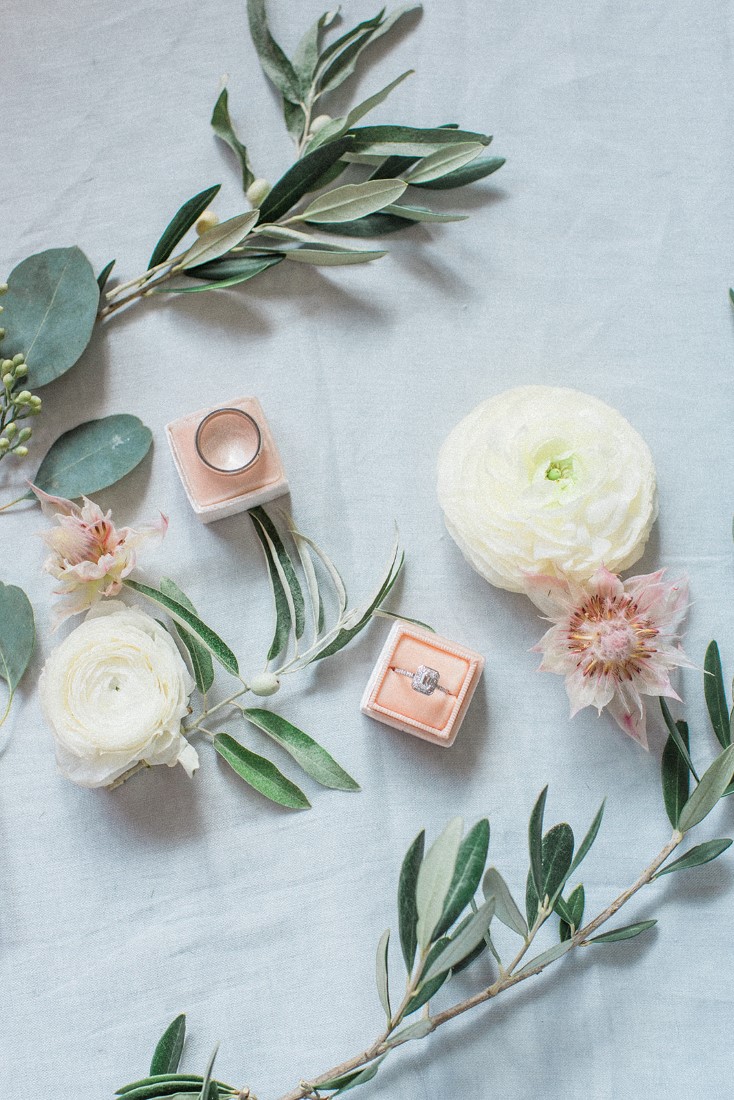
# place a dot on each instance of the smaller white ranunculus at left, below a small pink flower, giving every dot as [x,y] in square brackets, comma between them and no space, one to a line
[115,694]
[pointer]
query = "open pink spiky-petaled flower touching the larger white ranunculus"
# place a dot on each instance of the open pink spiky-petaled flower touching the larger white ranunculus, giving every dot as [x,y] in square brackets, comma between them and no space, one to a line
[614,641]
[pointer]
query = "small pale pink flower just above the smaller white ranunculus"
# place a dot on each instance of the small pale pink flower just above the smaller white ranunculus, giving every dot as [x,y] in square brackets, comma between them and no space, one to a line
[91,557]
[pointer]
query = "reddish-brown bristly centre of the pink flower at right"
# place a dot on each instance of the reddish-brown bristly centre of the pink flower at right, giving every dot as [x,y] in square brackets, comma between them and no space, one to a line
[610,639]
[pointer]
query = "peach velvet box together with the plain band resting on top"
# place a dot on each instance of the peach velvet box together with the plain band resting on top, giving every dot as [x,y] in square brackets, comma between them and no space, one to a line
[227,459]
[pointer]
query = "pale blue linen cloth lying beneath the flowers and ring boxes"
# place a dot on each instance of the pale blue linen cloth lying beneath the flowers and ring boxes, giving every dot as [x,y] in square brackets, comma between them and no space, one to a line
[599,258]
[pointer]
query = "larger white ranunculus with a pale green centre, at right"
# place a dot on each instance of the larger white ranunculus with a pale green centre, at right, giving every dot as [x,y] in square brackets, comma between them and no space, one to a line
[546,481]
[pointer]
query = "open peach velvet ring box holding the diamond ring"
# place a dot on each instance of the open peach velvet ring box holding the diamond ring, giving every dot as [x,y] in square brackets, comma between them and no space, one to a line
[423,685]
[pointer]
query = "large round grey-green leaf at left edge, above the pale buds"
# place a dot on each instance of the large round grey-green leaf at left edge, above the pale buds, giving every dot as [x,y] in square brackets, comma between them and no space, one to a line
[50,313]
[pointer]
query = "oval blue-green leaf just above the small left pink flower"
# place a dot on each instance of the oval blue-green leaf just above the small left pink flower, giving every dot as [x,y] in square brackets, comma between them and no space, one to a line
[93,456]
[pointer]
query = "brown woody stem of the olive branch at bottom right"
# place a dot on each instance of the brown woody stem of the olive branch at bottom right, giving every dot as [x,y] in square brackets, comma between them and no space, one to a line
[507,981]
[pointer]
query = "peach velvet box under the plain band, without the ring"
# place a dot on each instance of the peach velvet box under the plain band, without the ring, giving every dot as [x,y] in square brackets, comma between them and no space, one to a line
[215,496]
